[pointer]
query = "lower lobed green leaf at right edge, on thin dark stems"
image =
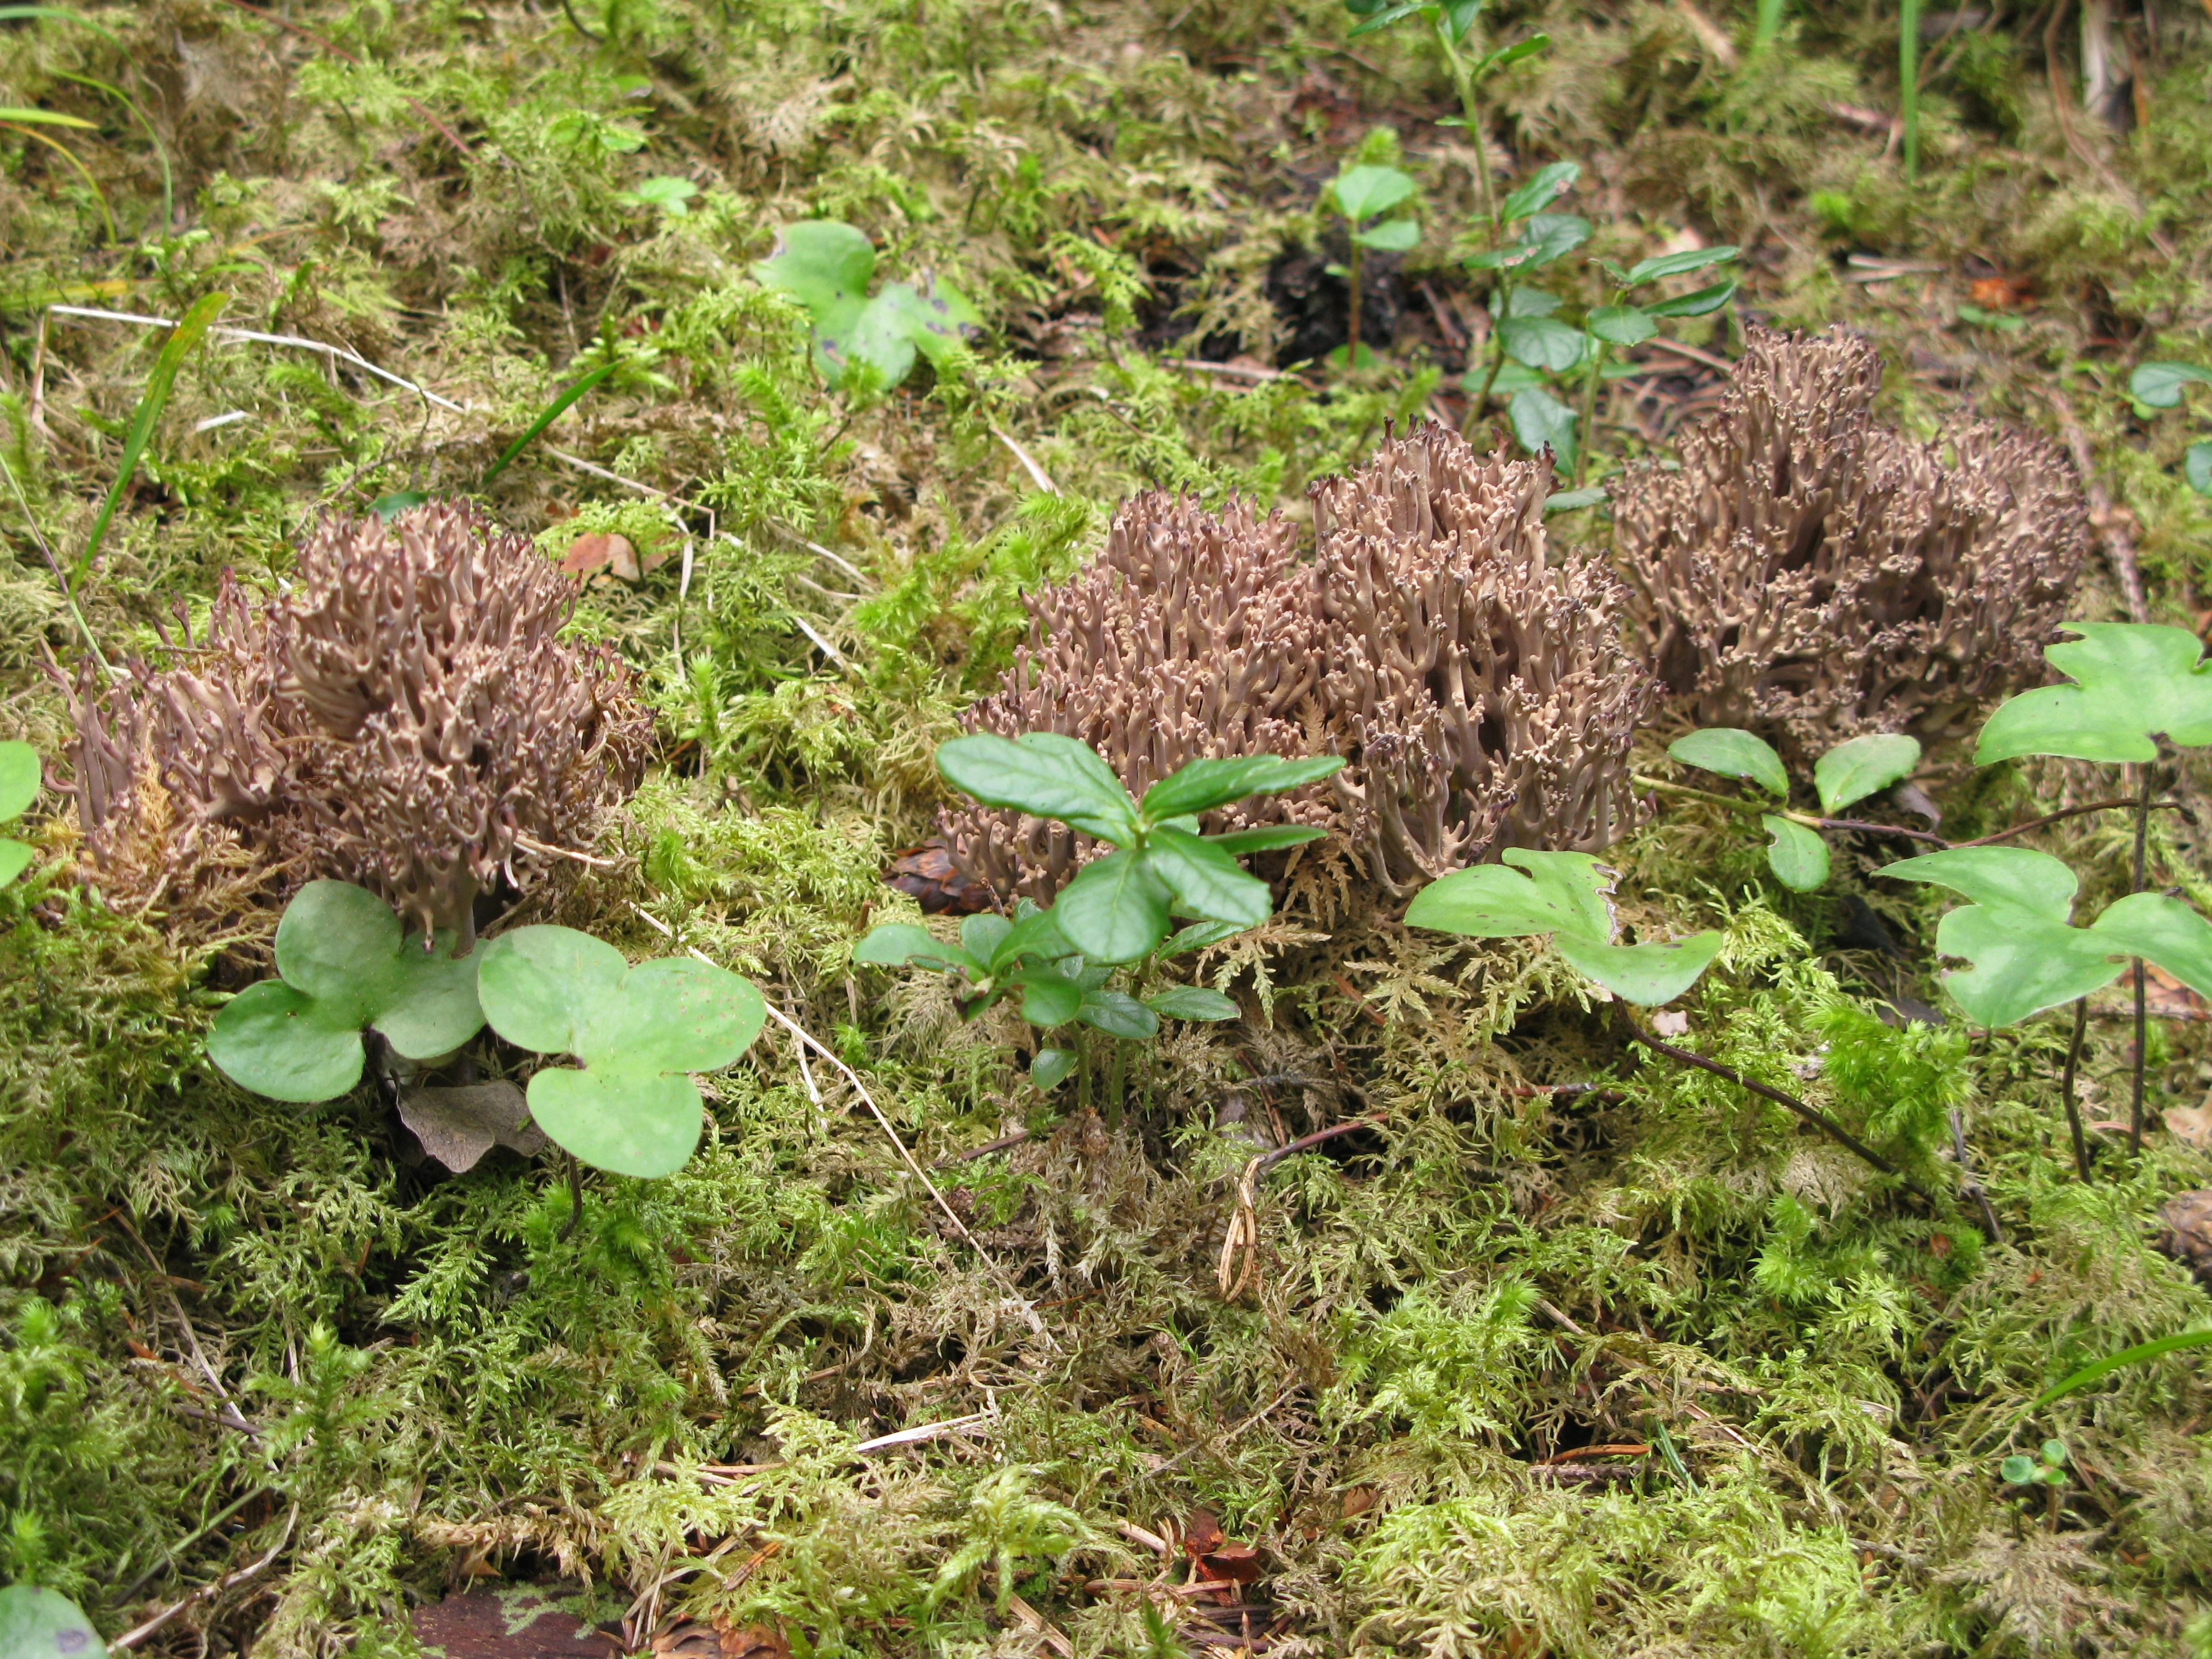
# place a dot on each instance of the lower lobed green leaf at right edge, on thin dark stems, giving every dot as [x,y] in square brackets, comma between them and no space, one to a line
[2025,952]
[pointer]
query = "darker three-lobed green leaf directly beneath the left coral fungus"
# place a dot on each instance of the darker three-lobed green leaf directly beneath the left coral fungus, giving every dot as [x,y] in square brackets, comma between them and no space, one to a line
[344,966]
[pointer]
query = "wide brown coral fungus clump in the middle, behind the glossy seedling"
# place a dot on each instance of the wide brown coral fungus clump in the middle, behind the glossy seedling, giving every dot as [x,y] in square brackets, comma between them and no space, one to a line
[1477,691]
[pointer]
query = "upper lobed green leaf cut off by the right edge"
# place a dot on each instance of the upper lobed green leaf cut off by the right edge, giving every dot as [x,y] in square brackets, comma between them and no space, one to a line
[2131,682]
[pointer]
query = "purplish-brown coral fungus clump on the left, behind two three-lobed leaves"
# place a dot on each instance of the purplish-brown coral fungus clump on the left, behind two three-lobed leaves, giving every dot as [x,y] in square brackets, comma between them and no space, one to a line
[406,718]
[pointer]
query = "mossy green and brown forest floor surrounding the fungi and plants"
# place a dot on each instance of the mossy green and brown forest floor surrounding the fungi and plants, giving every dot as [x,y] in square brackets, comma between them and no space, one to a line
[275,1377]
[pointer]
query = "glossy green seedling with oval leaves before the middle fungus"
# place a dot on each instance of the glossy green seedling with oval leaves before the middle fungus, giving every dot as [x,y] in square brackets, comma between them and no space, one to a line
[1118,910]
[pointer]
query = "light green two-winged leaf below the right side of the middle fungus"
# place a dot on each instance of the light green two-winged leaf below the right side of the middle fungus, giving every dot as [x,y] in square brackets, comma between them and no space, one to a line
[1563,895]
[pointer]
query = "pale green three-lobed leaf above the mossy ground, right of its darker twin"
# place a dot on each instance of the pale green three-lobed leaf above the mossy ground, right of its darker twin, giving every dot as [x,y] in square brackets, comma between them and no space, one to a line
[632,1109]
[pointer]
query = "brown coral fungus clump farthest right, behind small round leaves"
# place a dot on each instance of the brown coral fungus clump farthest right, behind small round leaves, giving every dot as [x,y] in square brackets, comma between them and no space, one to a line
[1819,574]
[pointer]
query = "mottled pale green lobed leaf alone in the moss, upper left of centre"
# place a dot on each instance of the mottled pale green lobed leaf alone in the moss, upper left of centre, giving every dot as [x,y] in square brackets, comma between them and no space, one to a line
[864,340]
